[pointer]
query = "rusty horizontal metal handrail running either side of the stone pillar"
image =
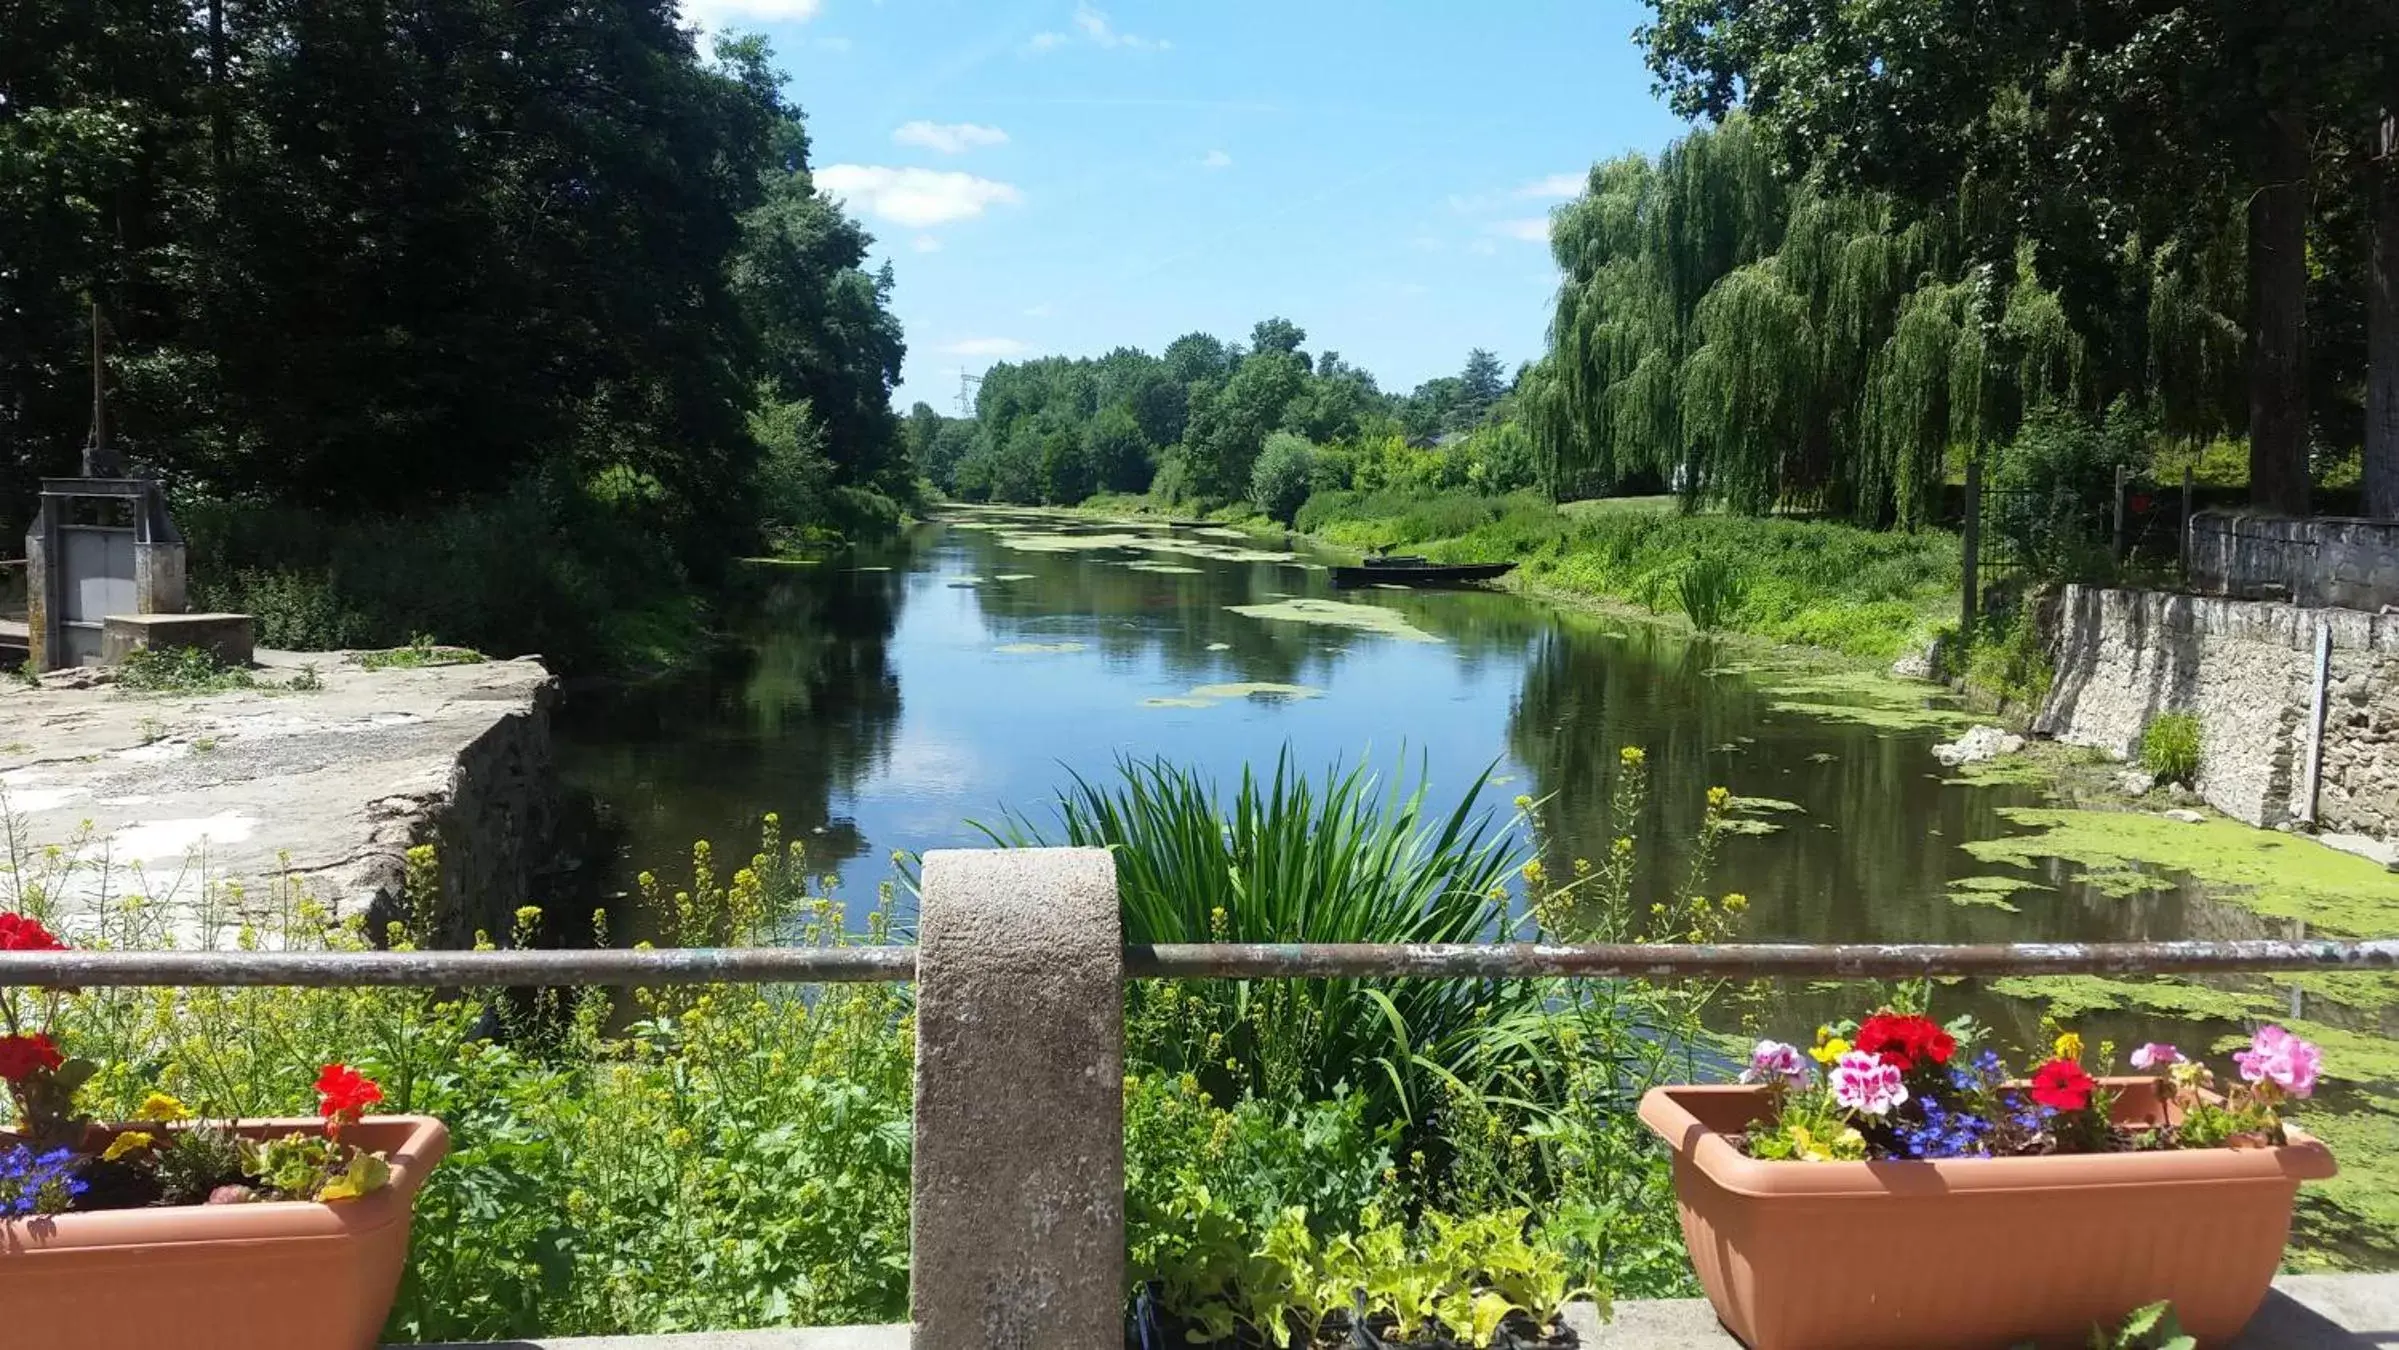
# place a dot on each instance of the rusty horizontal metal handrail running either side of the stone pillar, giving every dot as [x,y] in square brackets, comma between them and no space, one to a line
[1189,960]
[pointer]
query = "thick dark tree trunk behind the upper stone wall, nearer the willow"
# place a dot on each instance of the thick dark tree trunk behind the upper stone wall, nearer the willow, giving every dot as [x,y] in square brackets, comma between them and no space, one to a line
[2278,315]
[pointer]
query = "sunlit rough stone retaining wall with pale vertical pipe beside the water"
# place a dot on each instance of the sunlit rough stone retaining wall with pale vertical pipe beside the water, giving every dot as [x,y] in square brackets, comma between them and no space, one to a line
[2247,668]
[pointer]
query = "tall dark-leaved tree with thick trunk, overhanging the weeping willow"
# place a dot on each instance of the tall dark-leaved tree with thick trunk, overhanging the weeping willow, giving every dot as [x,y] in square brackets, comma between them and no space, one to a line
[2127,114]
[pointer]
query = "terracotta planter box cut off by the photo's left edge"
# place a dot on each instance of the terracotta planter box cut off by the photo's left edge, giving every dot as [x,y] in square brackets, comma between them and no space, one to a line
[224,1277]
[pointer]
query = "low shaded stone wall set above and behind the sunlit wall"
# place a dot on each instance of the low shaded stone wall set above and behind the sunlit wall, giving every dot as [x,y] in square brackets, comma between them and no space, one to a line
[2304,560]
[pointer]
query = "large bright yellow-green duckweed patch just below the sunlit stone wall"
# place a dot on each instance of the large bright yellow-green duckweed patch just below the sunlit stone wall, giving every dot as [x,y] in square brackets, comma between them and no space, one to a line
[2283,876]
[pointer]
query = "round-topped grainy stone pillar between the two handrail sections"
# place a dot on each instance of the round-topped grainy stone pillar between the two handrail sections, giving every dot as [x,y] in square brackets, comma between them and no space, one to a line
[1021,1102]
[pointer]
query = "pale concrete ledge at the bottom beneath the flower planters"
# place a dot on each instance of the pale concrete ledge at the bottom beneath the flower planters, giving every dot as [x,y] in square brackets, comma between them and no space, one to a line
[2307,1313]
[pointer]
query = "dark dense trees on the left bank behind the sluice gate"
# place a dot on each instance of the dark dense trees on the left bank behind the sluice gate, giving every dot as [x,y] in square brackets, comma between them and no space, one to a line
[392,270]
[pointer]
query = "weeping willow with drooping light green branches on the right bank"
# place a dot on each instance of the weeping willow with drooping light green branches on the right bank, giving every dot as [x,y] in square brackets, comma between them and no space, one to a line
[1774,344]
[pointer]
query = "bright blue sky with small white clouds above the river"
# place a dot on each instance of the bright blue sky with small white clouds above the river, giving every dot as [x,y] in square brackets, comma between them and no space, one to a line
[1066,179]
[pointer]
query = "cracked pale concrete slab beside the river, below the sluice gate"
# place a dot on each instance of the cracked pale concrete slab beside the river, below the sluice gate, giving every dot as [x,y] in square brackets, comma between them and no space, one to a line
[327,785]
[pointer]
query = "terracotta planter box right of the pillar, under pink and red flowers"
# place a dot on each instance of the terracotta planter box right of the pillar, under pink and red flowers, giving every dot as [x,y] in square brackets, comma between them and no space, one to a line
[1973,1253]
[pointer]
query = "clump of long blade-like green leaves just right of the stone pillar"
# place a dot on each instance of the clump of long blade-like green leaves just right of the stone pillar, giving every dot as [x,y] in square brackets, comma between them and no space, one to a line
[1345,857]
